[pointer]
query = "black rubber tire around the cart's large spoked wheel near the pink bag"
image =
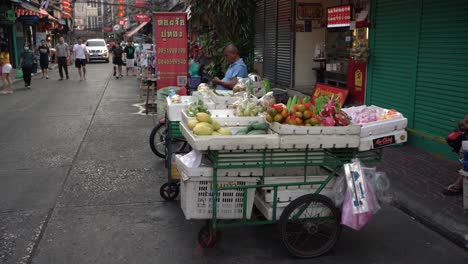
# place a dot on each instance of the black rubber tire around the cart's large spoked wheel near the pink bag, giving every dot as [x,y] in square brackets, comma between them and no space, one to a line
[284,222]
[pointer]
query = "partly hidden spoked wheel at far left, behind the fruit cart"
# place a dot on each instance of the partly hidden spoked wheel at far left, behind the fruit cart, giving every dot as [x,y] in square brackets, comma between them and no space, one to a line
[158,141]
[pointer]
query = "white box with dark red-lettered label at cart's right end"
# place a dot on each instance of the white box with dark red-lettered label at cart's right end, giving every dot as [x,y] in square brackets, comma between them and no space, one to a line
[383,140]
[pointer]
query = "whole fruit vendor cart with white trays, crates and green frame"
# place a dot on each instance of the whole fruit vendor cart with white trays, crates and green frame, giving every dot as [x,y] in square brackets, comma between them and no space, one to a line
[283,176]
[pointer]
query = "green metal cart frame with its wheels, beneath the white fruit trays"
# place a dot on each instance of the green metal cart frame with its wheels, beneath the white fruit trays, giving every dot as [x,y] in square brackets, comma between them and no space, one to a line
[309,225]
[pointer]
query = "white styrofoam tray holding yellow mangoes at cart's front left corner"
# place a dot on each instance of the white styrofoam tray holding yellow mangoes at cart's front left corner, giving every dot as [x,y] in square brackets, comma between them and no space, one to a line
[232,142]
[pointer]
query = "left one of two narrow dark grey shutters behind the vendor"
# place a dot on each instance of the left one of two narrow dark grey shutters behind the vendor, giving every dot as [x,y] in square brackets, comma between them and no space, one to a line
[269,54]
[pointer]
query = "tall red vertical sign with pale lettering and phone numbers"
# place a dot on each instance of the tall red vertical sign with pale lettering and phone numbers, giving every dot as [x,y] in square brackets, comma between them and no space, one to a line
[171,48]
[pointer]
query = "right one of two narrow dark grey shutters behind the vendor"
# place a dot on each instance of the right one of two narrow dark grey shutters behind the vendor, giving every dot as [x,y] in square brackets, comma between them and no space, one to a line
[284,44]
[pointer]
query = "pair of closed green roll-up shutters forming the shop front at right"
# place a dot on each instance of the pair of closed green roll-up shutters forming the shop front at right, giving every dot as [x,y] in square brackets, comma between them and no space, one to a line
[418,65]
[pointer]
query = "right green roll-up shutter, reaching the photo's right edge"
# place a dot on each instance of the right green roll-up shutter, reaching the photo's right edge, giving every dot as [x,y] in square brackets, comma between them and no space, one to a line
[442,79]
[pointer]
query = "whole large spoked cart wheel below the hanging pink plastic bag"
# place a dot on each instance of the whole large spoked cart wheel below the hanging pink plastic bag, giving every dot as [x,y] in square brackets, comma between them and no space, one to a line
[310,226]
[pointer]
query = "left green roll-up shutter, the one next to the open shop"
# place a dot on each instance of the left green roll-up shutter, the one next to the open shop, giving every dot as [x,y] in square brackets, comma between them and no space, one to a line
[393,53]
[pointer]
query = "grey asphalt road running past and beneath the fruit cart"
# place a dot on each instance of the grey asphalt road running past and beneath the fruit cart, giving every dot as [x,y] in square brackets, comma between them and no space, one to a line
[79,184]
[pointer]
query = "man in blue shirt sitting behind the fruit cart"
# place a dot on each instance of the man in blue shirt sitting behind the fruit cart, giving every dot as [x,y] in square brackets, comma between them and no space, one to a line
[237,68]
